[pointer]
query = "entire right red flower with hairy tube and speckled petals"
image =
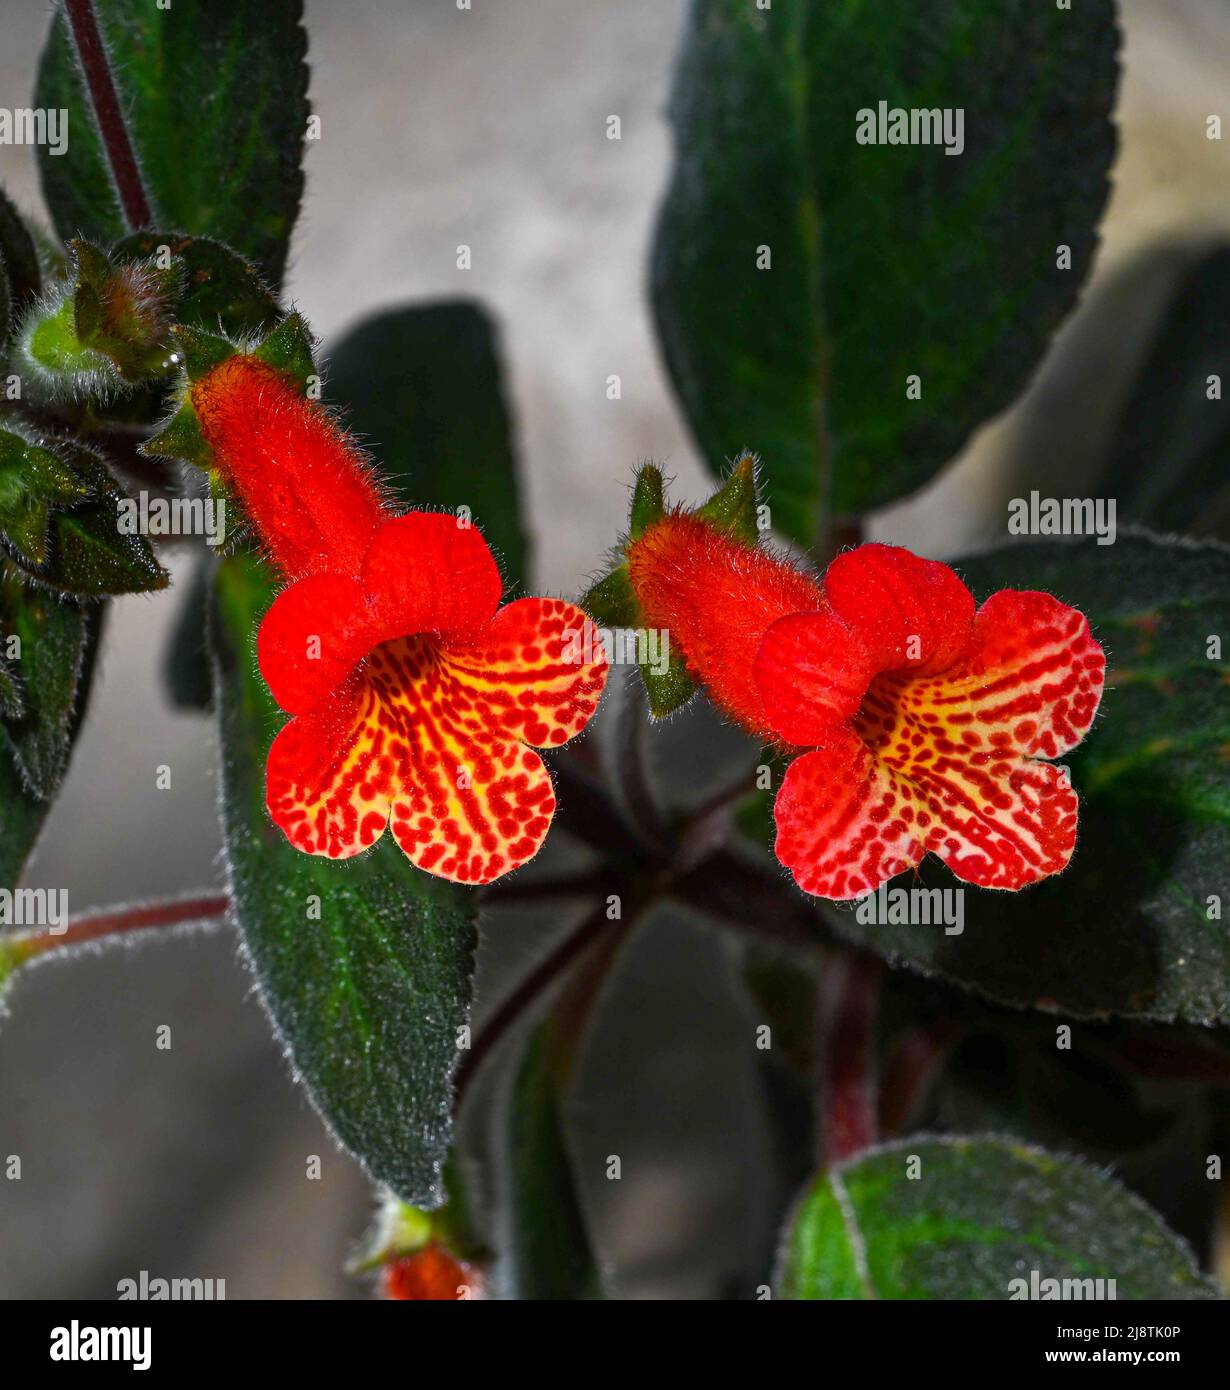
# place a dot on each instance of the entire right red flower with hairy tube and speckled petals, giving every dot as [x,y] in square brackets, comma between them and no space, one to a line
[921,723]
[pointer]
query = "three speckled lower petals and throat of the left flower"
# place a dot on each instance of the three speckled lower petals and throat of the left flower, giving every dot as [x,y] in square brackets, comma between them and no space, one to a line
[436,743]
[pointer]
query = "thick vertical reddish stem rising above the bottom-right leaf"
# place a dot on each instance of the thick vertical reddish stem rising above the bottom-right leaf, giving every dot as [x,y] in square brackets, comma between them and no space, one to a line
[847,1053]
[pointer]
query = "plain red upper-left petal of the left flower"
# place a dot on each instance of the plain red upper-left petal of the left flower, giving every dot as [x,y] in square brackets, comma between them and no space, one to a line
[312,639]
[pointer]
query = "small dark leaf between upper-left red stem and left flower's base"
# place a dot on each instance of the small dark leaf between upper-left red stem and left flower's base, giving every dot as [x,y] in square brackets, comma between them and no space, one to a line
[219,286]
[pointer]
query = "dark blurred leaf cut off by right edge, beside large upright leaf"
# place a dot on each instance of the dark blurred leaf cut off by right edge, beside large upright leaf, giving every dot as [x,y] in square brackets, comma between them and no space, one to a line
[1167,464]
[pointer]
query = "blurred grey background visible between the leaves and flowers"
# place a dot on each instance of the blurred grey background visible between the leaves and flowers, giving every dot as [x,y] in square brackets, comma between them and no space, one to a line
[489,129]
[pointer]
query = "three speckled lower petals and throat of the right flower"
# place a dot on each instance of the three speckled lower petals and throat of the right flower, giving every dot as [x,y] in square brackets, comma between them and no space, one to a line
[951,762]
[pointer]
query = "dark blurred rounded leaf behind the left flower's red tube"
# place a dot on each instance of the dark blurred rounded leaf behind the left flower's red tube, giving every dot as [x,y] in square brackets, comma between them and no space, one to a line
[425,390]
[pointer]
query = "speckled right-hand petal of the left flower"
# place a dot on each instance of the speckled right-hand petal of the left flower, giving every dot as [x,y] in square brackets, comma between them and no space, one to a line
[534,673]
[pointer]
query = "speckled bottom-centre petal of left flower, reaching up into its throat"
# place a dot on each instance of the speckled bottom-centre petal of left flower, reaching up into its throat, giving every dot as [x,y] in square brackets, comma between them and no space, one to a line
[472,804]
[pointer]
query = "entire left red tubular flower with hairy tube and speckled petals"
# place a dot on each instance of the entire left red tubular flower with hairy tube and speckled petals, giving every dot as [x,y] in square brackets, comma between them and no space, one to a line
[418,700]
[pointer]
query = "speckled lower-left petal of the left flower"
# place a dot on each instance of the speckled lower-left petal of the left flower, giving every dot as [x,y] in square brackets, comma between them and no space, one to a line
[330,775]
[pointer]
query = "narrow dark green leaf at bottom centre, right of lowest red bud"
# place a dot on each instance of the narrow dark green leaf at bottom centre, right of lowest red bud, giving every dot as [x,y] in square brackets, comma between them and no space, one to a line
[550,1252]
